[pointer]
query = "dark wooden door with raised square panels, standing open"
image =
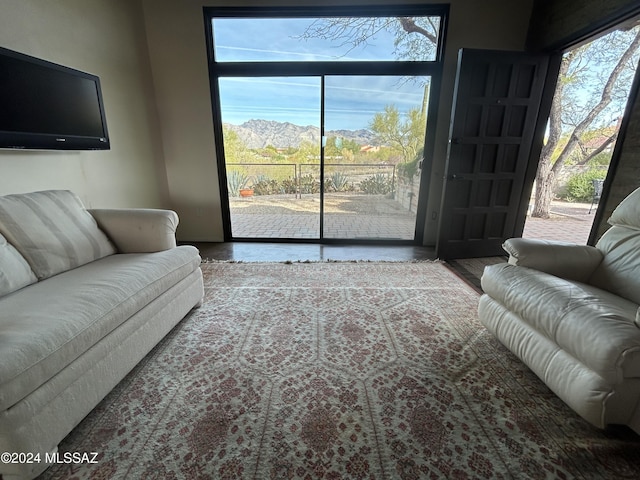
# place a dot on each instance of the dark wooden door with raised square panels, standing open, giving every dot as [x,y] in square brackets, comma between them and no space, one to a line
[498,108]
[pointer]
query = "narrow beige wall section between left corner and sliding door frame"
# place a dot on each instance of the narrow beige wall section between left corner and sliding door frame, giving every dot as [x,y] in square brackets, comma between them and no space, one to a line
[175,32]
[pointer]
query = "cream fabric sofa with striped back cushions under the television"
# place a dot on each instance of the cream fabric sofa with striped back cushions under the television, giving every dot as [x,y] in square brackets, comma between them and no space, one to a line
[84,296]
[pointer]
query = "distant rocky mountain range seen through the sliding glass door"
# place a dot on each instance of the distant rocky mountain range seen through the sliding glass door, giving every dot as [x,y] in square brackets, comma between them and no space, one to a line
[260,133]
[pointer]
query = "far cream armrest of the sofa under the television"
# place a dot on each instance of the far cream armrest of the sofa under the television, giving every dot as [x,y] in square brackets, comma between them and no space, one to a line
[138,230]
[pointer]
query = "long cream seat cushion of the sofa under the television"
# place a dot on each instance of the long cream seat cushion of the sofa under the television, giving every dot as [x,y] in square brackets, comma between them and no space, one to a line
[45,327]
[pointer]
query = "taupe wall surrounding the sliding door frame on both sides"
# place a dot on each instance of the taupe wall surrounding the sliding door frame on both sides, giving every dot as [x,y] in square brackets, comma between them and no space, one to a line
[175,33]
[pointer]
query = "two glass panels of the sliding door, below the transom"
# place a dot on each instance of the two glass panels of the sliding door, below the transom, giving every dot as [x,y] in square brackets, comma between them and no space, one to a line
[364,183]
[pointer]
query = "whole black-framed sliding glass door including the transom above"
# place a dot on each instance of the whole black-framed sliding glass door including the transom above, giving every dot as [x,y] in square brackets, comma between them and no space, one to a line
[323,124]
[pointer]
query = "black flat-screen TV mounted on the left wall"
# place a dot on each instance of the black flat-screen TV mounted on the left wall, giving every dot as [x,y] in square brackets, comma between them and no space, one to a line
[48,106]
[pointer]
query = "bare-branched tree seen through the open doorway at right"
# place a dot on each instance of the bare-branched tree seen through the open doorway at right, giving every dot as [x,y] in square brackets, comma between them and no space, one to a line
[573,117]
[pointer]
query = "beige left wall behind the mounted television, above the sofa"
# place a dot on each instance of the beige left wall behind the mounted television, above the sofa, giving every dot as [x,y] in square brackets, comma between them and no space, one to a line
[106,38]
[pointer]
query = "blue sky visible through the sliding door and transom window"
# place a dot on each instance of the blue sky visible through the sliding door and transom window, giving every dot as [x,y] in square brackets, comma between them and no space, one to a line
[351,102]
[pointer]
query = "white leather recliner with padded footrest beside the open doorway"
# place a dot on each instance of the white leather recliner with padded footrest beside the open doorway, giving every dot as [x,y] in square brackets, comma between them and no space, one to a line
[570,312]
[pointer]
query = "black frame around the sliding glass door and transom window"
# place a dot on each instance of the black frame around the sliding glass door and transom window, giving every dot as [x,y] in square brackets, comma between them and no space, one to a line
[431,68]
